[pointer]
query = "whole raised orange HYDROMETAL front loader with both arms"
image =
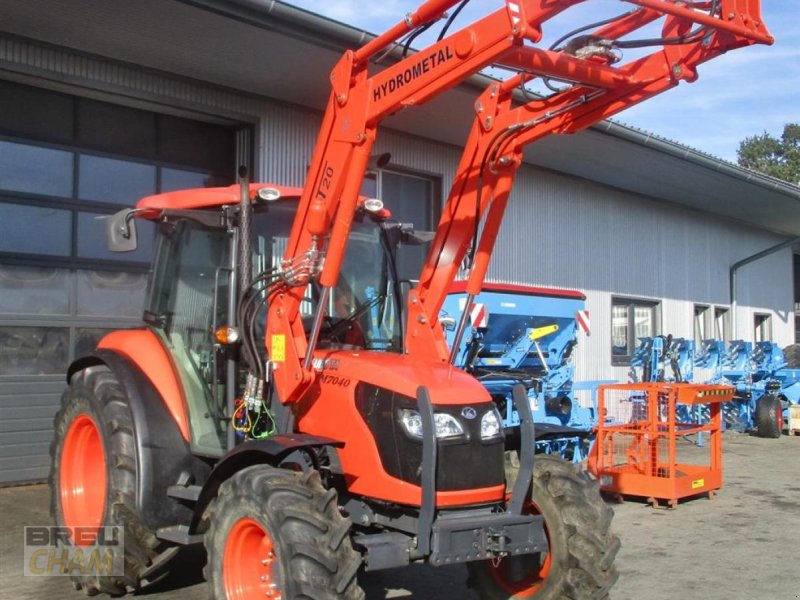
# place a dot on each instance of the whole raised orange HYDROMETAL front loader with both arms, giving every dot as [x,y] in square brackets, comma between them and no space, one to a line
[359,101]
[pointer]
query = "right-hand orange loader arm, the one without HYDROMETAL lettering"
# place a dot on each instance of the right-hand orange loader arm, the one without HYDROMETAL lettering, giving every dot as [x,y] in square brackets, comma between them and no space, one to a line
[596,91]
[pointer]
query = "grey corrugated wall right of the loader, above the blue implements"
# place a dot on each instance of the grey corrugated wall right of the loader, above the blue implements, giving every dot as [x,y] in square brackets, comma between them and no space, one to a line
[563,232]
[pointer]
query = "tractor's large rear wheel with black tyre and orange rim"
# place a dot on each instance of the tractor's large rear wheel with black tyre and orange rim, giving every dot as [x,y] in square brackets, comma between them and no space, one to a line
[93,477]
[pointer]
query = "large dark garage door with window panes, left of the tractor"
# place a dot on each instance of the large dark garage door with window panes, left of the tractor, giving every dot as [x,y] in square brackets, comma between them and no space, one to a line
[64,162]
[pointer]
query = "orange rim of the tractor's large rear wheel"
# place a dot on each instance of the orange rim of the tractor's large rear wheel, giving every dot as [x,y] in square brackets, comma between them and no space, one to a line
[82,475]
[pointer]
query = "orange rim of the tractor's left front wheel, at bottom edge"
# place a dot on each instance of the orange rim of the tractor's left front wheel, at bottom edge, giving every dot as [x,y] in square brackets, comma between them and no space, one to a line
[249,564]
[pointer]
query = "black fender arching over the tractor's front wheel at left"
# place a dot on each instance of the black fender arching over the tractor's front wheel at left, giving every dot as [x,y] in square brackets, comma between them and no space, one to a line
[271,451]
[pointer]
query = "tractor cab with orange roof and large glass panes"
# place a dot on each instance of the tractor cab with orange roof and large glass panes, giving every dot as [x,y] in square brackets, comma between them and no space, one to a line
[192,303]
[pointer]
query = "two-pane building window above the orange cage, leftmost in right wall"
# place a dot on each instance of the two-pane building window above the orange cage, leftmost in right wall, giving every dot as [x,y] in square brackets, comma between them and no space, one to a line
[631,319]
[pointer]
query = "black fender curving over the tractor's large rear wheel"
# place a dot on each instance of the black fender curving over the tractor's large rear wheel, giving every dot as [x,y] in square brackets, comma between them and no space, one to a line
[162,454]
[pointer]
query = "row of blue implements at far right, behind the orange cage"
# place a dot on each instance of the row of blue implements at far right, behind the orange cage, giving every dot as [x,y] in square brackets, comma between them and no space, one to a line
[766,378]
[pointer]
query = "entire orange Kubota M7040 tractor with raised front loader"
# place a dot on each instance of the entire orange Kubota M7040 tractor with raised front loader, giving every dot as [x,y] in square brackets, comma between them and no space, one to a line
[286,406]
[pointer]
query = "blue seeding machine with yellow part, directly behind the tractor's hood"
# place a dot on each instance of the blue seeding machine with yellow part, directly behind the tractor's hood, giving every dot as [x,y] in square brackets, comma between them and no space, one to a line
[527,335]
